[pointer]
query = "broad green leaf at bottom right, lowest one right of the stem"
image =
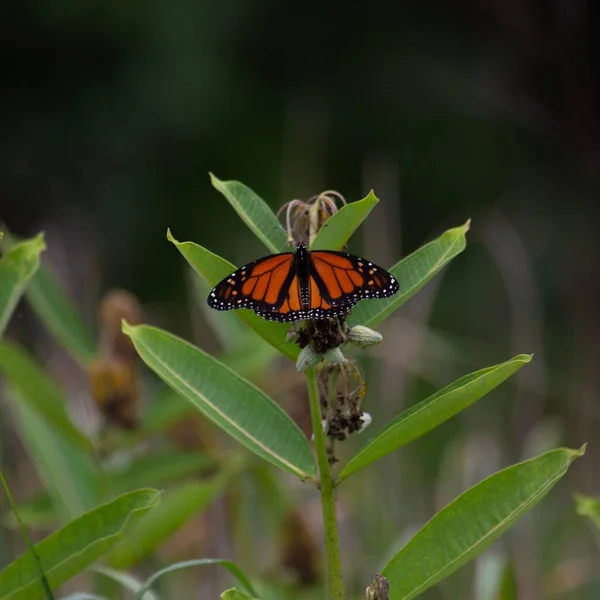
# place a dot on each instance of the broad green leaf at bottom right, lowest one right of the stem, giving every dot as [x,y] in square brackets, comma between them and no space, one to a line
[469,524]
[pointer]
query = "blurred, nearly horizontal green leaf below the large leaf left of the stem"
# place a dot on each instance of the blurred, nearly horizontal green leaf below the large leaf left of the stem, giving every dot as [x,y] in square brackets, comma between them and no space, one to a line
[160,468]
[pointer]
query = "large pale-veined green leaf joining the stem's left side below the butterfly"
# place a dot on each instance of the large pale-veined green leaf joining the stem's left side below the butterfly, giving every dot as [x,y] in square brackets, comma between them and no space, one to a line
[234,404]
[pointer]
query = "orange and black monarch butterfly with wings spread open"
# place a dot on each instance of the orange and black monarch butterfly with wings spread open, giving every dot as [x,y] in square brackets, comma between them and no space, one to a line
[302,285]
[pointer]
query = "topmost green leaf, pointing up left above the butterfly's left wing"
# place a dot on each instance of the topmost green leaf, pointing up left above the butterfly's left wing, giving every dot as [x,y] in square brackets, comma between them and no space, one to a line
[255,212]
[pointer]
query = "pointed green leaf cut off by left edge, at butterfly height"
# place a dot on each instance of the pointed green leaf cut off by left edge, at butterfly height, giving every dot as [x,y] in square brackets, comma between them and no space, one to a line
[17,265]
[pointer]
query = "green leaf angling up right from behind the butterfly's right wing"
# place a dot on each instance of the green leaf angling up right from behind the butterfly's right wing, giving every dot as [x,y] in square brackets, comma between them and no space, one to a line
[412,273]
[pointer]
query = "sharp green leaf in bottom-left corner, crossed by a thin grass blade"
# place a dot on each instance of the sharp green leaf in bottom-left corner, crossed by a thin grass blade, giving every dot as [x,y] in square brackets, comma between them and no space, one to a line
[75,546]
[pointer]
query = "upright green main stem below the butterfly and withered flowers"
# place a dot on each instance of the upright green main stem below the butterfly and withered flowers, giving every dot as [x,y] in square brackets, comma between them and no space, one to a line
[332,544]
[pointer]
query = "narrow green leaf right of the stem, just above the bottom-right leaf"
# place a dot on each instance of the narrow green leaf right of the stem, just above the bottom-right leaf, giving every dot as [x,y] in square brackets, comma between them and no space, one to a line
[429,413]
